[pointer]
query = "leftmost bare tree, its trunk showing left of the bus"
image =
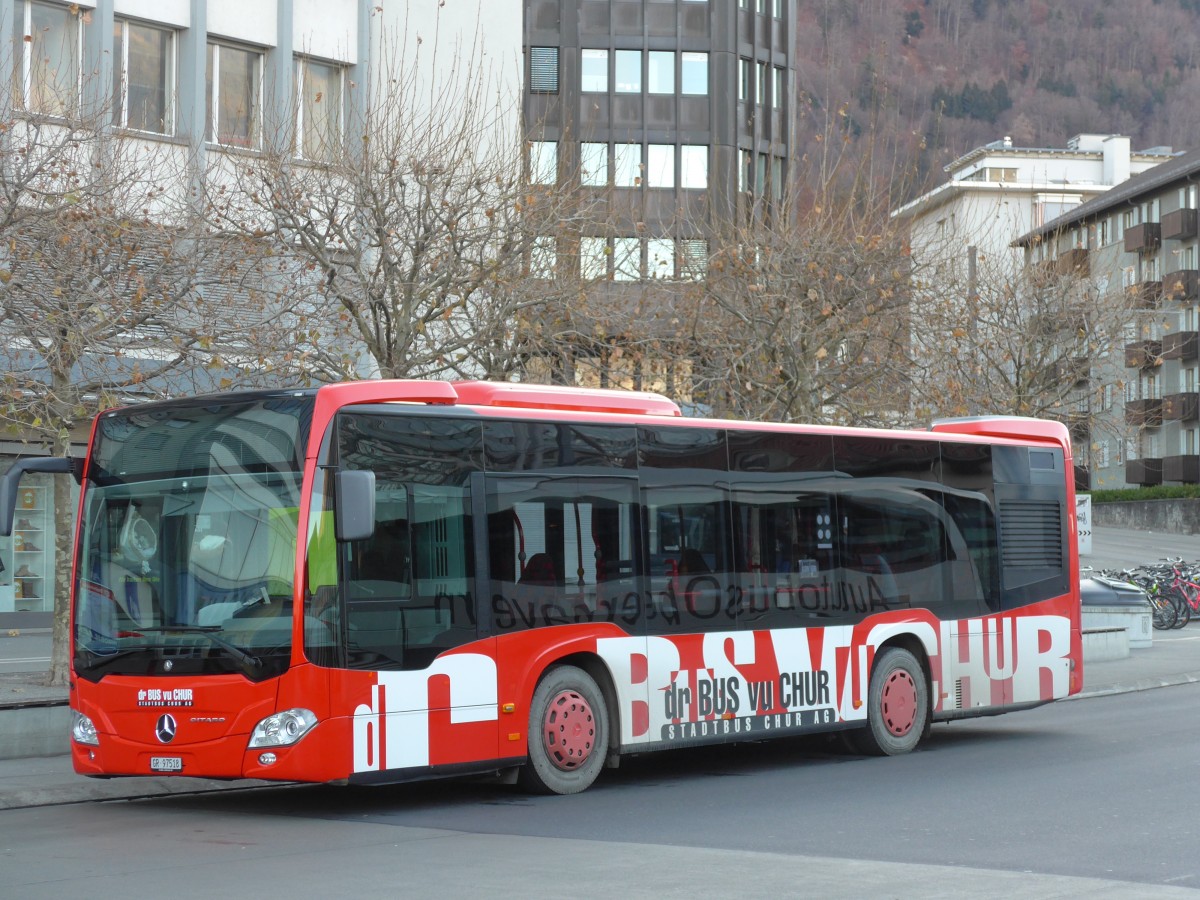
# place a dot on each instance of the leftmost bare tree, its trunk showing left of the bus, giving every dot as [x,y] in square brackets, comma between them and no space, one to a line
[111,291]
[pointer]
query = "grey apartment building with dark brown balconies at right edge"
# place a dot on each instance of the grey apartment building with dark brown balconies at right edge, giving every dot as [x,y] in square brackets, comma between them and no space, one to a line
[1141,239]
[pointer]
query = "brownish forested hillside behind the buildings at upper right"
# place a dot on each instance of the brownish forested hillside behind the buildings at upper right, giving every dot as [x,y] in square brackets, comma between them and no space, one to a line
[896,89]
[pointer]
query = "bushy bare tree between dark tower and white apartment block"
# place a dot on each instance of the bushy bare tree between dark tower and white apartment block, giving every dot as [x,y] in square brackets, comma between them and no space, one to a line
[802,319]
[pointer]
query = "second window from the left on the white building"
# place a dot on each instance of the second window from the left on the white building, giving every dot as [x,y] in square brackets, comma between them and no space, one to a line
[143,77]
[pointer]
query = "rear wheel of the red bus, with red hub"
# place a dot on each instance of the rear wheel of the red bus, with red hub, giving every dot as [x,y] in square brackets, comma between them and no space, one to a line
[898,715]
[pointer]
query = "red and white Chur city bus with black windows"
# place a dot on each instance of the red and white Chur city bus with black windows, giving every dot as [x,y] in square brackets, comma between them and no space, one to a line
[386,581]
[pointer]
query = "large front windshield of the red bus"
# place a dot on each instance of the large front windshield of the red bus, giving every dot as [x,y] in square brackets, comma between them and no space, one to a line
[189,541]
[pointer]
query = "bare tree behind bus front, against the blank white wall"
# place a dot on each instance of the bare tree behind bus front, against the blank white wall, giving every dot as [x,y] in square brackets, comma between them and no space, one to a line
[413,235]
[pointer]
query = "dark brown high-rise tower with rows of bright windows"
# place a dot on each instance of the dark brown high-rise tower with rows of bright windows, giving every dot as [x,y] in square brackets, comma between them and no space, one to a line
[665,117]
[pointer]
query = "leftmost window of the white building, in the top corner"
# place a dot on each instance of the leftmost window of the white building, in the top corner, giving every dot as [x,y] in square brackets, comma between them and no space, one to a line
[47,47]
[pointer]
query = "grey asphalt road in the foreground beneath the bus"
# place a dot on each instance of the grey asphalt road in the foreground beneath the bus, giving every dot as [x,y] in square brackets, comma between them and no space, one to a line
[1089,799]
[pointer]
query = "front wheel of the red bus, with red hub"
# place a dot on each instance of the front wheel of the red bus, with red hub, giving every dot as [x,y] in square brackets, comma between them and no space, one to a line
[568,734]
